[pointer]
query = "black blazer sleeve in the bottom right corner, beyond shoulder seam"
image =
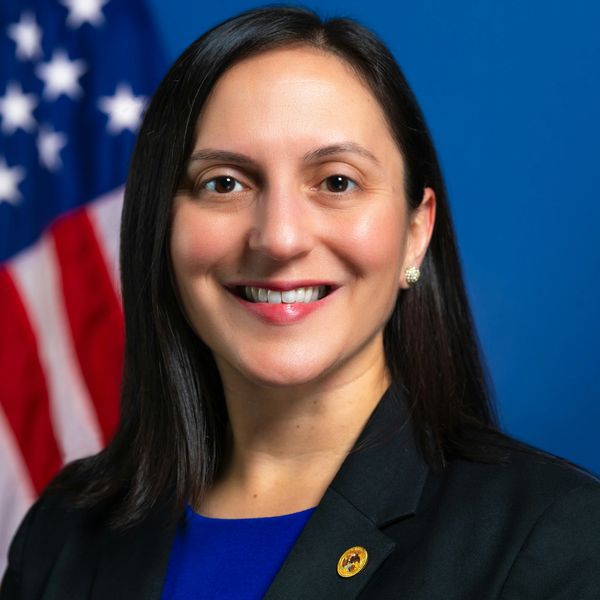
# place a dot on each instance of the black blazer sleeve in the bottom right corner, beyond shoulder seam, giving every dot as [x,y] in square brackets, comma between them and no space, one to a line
[560,558]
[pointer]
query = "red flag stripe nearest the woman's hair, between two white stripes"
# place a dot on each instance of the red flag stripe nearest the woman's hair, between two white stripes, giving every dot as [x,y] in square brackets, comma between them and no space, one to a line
[94,313]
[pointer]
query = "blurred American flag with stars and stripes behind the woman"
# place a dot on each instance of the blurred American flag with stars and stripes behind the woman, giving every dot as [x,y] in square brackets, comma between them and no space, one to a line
[74,80]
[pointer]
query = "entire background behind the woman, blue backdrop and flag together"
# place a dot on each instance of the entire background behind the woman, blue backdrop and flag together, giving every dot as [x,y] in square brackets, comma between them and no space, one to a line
[510,91]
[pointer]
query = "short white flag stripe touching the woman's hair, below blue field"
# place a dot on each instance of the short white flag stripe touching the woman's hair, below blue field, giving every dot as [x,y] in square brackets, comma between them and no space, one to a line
[105,216]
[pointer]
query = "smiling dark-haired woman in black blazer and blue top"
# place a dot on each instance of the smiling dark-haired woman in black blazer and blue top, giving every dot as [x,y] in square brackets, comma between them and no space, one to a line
[304,412]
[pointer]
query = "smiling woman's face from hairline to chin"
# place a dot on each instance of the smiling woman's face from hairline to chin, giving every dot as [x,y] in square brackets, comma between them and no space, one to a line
[291,233]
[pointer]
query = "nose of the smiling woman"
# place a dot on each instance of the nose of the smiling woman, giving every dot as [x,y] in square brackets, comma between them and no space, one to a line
[282,225]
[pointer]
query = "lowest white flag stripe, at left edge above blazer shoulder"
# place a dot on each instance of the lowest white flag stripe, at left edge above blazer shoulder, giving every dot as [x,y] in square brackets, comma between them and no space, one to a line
[16,489]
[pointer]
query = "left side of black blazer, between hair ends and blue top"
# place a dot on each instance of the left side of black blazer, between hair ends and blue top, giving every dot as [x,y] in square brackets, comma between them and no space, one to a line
[62,550]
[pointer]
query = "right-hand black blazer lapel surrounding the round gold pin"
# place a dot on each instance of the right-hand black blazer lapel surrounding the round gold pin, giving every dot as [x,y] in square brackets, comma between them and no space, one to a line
[379,483]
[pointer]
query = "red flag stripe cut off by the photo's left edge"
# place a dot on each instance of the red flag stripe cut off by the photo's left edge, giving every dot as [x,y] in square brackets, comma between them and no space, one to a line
[24,395]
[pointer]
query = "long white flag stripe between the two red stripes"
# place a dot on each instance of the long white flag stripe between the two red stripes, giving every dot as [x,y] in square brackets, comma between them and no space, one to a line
[36,275]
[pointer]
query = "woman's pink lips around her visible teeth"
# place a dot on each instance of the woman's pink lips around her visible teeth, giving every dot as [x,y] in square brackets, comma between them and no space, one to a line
[281,314]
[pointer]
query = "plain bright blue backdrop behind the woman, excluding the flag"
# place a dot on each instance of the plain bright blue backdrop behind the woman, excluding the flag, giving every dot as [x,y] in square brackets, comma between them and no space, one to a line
[511,91]
